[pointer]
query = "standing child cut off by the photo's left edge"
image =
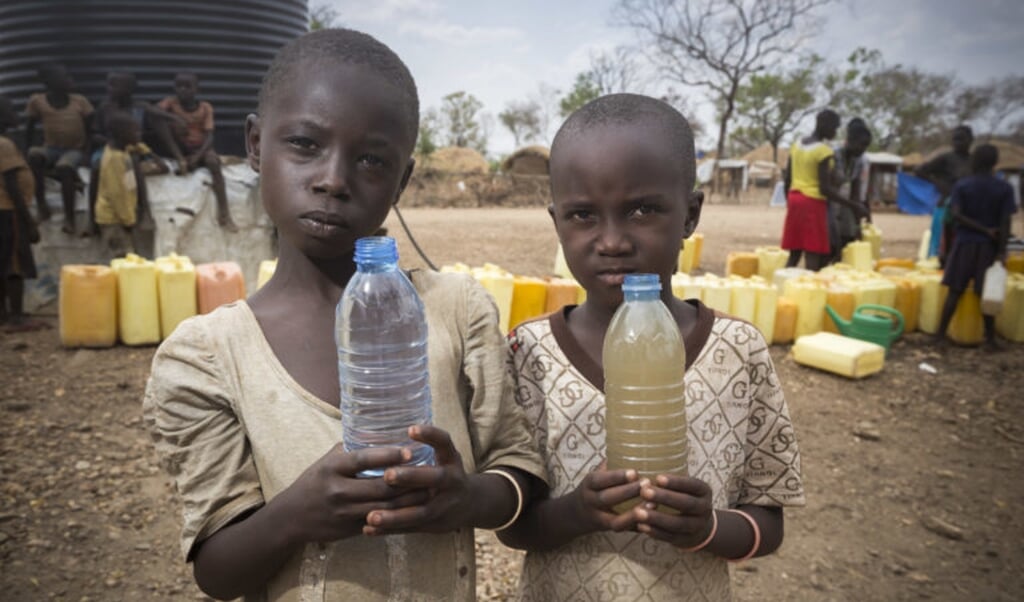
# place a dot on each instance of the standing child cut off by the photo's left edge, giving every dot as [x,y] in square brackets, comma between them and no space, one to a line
[18,229]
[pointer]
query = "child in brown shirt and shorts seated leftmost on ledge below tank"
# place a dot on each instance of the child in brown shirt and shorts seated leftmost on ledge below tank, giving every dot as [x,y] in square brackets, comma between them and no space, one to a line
[66,118]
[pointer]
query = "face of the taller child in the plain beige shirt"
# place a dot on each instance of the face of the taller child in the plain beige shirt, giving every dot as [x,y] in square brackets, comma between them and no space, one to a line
[333,153]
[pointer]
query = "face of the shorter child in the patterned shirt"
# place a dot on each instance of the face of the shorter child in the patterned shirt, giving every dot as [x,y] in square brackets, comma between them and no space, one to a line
[621,206]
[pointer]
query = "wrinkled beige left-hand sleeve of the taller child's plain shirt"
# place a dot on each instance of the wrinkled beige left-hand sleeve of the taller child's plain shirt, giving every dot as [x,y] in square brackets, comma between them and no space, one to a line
[189,412]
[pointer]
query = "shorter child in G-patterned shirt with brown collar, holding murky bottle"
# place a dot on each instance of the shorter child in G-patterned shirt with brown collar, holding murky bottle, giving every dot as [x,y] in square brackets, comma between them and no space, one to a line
[622,182]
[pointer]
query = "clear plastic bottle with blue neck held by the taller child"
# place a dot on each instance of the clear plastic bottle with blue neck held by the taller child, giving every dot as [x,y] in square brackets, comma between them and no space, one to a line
[381,334]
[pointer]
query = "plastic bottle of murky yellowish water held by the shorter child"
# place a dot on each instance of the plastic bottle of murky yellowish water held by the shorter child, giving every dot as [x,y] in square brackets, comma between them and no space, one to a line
[645,364]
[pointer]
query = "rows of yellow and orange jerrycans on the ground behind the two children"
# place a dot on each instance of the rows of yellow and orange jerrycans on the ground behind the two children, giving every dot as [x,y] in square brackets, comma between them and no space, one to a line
[843,319]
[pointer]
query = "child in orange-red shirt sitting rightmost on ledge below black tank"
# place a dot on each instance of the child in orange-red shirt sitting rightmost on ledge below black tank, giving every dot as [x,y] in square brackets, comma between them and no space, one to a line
[192,145]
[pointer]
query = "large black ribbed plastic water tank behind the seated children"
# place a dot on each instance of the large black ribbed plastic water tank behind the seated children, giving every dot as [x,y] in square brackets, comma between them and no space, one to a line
[228,45]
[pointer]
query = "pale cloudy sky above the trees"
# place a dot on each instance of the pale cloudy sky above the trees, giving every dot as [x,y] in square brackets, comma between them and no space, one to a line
[501,52]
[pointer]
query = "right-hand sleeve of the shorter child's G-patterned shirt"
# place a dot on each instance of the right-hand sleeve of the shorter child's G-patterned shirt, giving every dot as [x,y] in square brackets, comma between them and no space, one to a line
[773,474]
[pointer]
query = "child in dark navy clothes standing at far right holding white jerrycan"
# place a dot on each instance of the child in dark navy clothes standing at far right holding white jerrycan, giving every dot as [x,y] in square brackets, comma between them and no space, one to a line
[980,207]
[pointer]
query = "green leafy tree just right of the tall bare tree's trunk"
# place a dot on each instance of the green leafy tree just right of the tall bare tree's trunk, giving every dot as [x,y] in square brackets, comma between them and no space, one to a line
[772,106]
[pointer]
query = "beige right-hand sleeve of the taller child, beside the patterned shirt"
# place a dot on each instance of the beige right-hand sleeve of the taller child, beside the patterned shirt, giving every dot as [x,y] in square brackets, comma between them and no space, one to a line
[497,425]
